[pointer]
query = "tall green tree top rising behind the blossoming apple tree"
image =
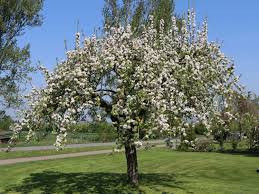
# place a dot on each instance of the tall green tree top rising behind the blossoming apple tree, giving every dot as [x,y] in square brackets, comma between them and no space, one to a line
[136,13]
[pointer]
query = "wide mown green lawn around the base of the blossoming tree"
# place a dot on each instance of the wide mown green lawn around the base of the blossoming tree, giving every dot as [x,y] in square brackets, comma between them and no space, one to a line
[161,171]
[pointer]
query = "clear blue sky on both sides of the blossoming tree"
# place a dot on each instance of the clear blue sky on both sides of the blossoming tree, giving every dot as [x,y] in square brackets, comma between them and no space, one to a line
[233,22]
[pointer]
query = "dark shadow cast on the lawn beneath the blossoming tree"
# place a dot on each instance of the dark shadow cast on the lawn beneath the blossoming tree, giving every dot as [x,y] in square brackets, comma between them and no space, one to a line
[58,182]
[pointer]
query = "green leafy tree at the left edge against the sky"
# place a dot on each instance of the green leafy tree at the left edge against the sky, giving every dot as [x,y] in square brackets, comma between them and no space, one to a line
[15,16]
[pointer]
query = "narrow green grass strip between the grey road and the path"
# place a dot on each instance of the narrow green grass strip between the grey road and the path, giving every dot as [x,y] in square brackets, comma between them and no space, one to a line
[20,154]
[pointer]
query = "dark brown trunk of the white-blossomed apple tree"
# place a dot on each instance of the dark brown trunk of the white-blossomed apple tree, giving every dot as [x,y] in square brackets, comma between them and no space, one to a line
[132,164]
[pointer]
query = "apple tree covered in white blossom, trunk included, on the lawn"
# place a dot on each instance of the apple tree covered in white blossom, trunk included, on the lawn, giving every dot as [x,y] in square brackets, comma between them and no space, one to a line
[158,80]
